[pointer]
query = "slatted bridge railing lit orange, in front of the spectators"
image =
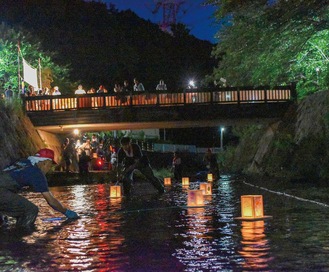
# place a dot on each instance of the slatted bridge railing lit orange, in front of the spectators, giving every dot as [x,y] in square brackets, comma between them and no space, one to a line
[229,95]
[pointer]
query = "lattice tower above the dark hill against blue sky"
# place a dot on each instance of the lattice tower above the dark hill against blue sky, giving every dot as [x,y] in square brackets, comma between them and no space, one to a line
[170,9]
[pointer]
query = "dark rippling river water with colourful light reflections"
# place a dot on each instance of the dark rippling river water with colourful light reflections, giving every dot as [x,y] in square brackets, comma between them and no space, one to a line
[159,233]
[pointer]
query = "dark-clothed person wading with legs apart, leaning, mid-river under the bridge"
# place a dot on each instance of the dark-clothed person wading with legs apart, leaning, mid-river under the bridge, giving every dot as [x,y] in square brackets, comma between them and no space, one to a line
[130,158]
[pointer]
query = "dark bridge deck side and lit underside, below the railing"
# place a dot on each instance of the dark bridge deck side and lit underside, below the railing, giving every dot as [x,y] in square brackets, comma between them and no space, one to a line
[158,117]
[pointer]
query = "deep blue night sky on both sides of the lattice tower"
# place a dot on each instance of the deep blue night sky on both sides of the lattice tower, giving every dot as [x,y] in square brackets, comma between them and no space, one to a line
[192,13]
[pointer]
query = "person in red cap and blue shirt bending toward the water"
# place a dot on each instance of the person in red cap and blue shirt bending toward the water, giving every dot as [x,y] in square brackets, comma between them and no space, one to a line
[28,172]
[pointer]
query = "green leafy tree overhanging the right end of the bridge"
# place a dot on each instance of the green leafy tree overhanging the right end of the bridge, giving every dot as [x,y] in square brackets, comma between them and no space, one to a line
[273,42]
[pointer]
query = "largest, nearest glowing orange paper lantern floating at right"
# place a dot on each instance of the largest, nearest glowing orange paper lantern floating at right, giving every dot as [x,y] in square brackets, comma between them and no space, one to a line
[252,207]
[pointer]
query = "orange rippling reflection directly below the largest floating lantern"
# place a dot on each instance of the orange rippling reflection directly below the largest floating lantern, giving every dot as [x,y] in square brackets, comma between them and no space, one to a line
[254,245]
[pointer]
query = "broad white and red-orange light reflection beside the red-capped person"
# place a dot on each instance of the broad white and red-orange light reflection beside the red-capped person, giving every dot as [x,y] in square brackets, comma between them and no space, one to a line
[87,242]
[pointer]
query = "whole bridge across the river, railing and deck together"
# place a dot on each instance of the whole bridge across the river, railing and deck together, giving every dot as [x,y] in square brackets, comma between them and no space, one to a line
[188,108]
